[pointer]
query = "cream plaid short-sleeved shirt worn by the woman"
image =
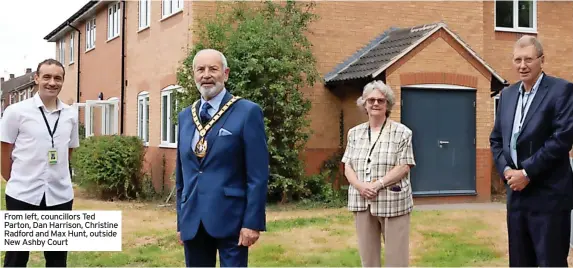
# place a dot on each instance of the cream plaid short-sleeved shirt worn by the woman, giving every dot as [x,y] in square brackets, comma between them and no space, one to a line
[393,148]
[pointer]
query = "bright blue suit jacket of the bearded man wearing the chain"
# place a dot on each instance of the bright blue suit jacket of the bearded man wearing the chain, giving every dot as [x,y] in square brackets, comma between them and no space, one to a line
[227,190]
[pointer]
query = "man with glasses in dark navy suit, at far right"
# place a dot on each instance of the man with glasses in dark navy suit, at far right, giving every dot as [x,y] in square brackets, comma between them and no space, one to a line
[530,141]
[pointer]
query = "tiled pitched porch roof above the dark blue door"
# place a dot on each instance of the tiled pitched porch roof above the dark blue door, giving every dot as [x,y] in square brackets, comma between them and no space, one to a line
[388,48]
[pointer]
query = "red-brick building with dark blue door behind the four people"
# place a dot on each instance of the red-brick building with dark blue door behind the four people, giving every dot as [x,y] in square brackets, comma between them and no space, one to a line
[444,60]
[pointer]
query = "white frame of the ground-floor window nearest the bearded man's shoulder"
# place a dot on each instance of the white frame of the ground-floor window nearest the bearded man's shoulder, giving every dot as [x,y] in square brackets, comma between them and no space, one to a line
[168,121]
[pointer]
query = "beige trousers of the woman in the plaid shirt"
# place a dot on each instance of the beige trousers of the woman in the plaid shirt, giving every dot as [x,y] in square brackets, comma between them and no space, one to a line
[395,232]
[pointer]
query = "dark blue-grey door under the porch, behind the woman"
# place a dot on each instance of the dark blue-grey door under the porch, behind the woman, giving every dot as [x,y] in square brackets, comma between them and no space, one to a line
[443,122]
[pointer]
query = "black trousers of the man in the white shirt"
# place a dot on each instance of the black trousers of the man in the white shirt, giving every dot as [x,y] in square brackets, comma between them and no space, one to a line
[20,258]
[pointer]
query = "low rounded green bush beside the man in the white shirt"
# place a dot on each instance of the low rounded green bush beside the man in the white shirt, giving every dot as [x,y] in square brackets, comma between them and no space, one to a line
[110,166]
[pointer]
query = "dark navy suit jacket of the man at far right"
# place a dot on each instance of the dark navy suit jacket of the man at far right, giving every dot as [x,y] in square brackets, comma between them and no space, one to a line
[542,146]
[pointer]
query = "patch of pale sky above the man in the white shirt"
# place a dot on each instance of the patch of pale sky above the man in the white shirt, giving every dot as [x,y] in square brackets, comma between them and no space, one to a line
[23,26]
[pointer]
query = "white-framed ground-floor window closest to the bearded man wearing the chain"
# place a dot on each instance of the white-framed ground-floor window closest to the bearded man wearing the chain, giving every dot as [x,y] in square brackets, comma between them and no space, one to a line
[168,124]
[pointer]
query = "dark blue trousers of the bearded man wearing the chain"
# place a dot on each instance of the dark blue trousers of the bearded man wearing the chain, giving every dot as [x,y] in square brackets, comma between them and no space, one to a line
[201,251]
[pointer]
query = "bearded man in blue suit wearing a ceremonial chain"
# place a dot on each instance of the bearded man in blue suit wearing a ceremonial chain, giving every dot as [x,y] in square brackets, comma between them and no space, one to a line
[222,170]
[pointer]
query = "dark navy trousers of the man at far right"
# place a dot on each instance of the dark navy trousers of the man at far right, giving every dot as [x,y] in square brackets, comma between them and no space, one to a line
[538,238]
